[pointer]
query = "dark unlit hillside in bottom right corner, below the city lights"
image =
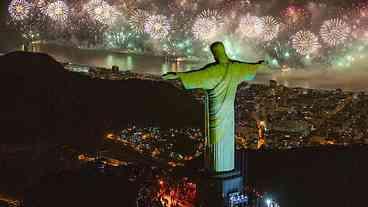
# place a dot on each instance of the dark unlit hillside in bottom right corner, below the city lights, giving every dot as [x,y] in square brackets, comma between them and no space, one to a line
[321,176]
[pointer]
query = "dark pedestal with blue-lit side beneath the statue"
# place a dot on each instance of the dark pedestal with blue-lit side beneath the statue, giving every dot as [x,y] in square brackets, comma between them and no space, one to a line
[217,190]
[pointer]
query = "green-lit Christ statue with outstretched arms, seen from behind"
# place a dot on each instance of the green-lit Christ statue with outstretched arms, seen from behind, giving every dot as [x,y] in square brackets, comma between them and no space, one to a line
[220,80]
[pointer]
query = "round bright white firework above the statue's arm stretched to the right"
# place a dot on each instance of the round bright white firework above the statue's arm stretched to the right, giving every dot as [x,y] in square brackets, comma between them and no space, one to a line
[250,26]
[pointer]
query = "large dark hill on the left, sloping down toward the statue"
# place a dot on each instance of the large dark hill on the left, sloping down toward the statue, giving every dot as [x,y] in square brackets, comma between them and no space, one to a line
[43,101]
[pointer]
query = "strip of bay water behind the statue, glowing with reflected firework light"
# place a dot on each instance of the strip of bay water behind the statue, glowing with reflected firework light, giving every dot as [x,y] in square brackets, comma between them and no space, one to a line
[323,78]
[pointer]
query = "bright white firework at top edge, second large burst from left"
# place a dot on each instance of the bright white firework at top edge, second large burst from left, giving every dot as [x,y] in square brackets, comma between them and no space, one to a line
[58,11]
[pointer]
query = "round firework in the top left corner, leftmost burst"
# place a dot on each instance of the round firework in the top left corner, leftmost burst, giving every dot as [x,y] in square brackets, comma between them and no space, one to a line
[19,9]
